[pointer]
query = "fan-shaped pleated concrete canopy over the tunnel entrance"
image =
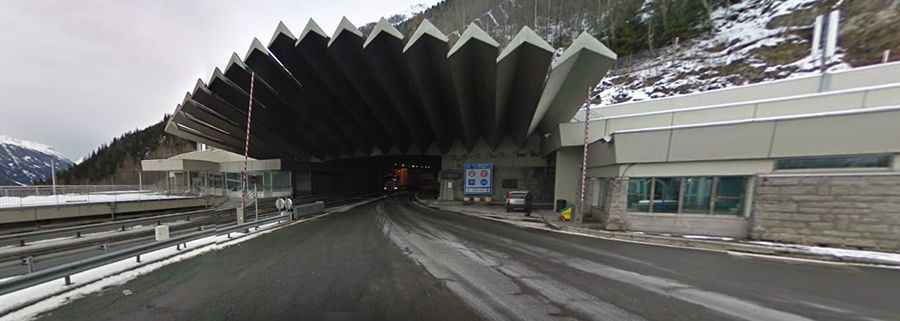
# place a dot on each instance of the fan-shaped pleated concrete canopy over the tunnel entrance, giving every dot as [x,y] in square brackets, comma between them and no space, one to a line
[345,96]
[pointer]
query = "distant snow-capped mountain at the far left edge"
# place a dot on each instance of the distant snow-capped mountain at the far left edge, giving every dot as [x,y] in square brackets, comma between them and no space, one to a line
[23,162]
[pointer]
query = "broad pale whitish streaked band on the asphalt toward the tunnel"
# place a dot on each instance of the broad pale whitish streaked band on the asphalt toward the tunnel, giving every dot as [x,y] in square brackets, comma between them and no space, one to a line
[496,285]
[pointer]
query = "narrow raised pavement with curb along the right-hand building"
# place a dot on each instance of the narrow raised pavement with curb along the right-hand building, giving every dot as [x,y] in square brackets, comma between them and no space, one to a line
[731,248]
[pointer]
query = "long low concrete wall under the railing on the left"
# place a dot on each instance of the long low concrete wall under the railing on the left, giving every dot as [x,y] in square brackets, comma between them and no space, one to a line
[54,212]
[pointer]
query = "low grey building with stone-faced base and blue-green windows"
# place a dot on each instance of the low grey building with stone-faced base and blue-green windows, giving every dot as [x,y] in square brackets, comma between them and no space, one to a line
[811,159]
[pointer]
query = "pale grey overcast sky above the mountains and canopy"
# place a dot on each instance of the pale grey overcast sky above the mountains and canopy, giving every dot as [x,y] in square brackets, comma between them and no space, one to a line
[75,74]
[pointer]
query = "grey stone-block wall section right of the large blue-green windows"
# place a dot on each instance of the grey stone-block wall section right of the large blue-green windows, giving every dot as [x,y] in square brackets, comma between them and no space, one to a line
[857,211]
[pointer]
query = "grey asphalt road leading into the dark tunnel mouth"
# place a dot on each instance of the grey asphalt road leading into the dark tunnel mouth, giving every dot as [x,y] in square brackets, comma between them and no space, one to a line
[398,261]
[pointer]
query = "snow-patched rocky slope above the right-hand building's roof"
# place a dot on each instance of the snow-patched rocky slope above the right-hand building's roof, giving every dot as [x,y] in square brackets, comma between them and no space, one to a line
[750,42]
